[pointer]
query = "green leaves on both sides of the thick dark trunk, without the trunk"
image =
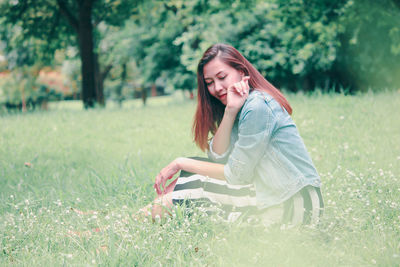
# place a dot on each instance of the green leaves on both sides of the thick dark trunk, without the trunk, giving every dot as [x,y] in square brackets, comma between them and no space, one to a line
[40,26]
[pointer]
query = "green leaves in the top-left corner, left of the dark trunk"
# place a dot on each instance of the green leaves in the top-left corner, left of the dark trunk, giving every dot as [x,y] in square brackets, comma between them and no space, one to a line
[33,31]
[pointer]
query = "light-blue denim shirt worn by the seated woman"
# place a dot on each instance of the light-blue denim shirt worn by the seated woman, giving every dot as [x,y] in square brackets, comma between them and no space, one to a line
[267,151]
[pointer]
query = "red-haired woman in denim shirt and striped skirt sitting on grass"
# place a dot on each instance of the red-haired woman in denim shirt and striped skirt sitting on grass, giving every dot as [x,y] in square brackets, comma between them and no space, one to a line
[257,159]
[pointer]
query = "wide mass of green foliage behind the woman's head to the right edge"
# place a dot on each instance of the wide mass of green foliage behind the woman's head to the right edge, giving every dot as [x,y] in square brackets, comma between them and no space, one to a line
[297,44]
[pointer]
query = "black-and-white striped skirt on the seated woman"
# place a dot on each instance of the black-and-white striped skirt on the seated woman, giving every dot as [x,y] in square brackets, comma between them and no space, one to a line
[234,201]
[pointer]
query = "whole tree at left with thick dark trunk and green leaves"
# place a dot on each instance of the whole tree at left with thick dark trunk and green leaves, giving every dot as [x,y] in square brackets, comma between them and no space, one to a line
[56,24]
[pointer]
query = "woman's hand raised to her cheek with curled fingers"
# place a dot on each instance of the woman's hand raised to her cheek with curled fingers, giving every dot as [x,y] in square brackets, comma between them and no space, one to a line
[237,94]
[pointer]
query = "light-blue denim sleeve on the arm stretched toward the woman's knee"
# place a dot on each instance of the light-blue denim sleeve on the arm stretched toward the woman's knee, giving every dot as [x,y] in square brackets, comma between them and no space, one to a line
[256,124]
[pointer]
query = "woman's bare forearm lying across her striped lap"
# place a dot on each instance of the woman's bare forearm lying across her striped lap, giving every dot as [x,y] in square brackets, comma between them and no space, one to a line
[214,170]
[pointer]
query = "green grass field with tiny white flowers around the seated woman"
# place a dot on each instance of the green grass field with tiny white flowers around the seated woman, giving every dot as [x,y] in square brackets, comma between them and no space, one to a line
[106,160]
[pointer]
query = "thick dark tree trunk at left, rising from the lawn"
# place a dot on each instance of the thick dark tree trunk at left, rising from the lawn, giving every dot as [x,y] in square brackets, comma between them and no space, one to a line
[85,36]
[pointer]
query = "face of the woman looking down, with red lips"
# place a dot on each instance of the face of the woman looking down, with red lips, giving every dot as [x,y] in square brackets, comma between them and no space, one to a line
[219,76]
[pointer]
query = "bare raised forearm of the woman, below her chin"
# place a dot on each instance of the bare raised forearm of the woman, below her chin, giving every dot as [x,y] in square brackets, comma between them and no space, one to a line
[222,137]
